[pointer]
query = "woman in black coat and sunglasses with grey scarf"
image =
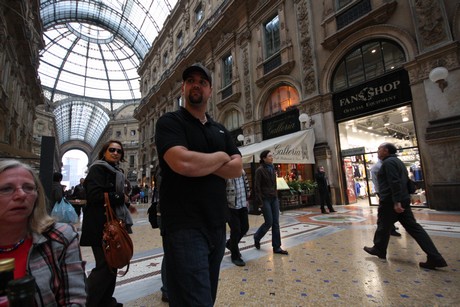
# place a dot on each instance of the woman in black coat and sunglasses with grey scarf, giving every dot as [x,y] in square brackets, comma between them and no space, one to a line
[103,176]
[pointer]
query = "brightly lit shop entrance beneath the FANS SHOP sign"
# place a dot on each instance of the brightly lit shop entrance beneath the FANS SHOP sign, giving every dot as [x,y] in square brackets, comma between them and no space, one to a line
[360,138]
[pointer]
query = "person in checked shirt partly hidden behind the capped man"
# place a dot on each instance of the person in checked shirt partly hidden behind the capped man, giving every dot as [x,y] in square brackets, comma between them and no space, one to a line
[237,196]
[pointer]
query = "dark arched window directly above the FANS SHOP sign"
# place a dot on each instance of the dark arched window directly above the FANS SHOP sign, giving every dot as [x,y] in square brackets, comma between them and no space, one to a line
[366,62]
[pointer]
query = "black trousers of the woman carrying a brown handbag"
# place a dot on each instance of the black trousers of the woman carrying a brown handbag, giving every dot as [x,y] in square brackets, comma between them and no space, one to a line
[101,282]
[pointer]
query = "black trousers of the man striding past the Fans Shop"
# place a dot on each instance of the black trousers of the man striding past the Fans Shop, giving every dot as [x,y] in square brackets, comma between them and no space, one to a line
[387,217]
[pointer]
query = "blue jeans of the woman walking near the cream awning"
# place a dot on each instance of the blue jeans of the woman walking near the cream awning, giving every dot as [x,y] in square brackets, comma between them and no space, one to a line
[271,212]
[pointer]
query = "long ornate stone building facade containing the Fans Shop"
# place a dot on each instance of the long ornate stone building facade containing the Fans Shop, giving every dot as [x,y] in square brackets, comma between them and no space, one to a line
[350,66]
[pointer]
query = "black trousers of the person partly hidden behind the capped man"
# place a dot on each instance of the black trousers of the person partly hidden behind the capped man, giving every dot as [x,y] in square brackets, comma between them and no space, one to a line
[239,226]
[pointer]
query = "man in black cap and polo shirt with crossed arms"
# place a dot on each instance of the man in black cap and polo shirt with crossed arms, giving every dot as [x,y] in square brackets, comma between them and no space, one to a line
[196,156]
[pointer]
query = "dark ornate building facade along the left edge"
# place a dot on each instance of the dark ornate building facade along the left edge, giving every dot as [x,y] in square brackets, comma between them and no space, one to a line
[20,89]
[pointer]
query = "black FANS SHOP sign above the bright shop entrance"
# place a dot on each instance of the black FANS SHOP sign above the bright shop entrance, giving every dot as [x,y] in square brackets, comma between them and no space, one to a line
[381,94]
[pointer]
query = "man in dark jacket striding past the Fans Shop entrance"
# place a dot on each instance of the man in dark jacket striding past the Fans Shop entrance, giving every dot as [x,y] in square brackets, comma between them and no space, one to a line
[394,205]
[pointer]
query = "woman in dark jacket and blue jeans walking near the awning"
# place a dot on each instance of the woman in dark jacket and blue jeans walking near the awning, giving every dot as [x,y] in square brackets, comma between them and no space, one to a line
[266,197]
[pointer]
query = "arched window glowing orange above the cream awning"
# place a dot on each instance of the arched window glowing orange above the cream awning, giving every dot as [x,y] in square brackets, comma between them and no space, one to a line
[282,98]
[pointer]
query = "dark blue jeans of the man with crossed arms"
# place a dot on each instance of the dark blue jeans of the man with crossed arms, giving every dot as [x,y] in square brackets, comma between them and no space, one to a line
[193,258]
